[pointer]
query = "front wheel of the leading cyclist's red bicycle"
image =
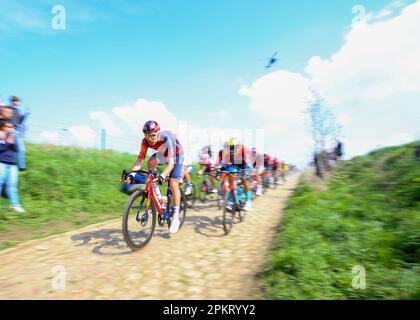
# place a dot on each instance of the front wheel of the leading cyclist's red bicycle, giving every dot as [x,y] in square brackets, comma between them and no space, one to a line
[138,226]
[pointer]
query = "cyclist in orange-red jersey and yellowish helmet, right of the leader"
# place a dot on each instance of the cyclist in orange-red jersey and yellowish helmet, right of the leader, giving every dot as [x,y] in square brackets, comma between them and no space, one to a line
[236,156]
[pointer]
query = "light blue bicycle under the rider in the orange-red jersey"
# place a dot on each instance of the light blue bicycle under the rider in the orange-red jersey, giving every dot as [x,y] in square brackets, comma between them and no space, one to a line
[232,196]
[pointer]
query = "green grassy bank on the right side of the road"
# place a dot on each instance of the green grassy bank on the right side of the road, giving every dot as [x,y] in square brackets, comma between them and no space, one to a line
[369,215]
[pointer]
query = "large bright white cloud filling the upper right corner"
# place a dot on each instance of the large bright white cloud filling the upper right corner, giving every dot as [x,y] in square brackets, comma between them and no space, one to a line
[376,61]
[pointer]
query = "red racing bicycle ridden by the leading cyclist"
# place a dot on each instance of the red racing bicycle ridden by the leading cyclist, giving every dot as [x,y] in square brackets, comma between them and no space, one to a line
[137,211]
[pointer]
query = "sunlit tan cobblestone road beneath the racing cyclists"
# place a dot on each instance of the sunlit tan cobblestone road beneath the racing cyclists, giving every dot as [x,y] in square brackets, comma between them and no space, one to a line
[200,262]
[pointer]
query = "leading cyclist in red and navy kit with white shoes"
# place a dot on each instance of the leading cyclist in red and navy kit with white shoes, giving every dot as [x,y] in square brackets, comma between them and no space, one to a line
[169,153]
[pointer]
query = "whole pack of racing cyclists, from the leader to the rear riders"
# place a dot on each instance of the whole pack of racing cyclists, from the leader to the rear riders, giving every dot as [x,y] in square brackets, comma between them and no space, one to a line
[257,169]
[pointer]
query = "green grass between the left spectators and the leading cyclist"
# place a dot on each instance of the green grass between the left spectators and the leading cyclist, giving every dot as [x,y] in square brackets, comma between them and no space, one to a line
[64,189]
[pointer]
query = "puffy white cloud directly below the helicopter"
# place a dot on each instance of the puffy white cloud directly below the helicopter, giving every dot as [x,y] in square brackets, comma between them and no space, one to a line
[280,99]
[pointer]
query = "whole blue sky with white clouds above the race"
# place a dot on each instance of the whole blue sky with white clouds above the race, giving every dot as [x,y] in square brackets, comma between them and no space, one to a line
[197,68]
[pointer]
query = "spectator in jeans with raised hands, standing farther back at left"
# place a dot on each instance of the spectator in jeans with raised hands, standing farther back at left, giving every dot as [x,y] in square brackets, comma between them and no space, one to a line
[18,120]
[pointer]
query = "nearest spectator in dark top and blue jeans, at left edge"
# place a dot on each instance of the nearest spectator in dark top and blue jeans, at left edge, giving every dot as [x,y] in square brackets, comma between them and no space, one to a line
[8,169]
